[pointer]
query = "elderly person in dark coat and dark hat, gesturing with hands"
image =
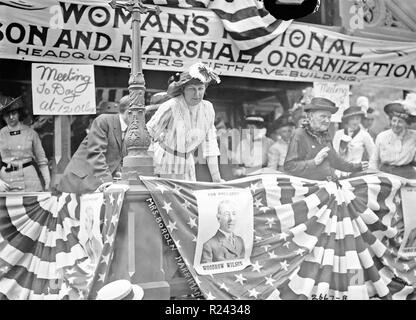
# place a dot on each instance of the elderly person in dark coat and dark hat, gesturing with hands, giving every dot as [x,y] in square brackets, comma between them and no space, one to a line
[311,154]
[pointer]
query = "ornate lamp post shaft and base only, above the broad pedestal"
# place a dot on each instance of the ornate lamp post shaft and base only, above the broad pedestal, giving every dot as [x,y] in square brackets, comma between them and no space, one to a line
[137,140]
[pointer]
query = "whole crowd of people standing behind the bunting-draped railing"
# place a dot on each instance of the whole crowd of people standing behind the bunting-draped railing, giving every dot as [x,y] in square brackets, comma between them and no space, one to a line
[184,129]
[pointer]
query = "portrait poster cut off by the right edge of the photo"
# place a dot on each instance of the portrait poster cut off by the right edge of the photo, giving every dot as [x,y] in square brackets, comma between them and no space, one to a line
[408,246]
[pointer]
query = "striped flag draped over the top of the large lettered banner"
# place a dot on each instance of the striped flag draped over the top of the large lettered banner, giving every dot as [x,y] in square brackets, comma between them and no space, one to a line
[247,22]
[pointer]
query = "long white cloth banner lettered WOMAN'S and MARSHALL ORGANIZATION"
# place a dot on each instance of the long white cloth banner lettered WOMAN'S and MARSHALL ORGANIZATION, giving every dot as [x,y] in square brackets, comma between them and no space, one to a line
[76,33]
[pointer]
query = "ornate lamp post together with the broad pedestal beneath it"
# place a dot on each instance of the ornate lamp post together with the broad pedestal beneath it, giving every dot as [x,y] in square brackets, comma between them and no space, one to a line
[137,162]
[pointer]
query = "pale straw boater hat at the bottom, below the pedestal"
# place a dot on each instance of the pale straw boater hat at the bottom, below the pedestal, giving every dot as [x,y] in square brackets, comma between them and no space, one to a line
[120,290]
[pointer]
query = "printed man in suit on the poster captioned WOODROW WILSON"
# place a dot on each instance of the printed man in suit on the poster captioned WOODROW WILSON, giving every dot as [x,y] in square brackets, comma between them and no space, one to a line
[224,245]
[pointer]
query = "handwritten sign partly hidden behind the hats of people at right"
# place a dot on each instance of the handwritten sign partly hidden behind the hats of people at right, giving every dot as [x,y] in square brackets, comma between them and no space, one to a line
[337,93]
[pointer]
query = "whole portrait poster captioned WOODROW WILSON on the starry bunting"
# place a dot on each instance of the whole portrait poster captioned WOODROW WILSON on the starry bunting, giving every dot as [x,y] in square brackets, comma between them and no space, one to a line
[225,230]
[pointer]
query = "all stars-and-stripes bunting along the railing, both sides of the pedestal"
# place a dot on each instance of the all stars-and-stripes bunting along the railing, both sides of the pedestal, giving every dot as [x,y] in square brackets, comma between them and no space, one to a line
[311,240]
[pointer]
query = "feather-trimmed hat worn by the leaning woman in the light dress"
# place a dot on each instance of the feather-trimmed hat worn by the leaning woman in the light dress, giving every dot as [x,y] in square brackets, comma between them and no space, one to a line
[198,73]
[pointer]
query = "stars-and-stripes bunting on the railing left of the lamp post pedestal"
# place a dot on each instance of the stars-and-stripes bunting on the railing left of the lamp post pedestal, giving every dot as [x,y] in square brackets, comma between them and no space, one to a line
[40,253]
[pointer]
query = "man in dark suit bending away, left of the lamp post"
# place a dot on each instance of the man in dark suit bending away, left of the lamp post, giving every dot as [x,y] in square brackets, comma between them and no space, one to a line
[99,156]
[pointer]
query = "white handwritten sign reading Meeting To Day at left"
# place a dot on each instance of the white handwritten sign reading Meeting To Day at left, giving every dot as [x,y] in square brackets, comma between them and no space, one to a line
[63,89]
